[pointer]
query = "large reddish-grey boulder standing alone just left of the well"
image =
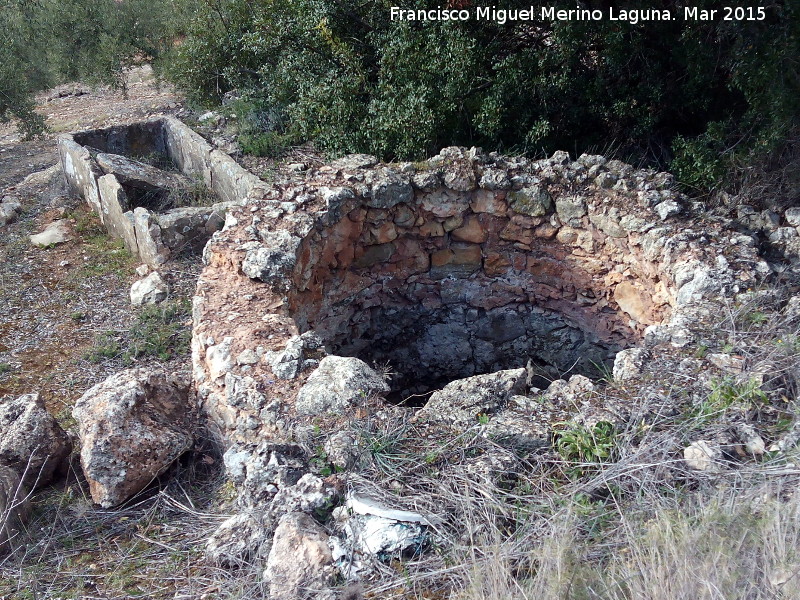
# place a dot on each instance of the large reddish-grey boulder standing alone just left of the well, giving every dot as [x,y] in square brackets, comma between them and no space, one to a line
[132,427]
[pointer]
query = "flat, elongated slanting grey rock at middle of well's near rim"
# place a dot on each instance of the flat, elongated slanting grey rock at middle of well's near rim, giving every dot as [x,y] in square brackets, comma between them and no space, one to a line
[460,402]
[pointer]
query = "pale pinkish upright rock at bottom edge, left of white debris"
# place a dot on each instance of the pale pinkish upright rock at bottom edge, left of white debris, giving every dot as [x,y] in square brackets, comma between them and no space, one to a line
[300,562]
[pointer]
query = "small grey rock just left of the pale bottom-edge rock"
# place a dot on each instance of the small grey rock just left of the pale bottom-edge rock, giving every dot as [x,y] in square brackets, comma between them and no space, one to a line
[238,541]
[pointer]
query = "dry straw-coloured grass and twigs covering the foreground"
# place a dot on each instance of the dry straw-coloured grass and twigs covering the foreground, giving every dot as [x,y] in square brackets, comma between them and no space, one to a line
[544,522]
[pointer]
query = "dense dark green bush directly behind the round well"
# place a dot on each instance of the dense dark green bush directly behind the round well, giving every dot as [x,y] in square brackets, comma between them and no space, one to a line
[700,94]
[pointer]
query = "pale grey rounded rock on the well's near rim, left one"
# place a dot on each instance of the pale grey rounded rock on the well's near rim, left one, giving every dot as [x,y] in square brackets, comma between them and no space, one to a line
[338,384]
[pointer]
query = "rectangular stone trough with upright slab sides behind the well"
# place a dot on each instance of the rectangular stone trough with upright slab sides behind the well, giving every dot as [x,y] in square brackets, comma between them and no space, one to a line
[154,236]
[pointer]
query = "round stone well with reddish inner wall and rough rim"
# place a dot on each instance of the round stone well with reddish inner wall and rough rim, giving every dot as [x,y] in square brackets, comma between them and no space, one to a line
[463,264]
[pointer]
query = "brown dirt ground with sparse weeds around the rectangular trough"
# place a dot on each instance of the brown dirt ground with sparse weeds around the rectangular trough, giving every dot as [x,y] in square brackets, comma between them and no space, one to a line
[57,304]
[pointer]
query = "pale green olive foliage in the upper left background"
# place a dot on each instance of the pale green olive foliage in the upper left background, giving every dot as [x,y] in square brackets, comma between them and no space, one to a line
[47,42]
